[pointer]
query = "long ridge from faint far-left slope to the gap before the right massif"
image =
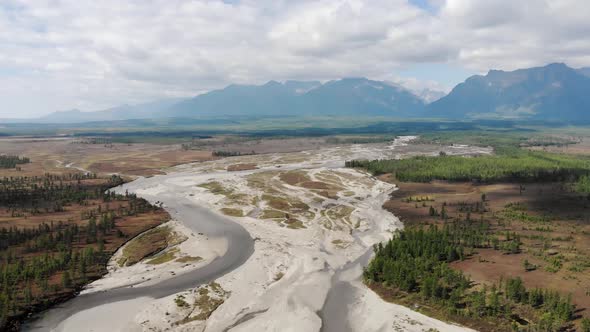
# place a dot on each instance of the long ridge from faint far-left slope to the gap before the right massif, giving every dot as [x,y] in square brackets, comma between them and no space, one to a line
[346,96]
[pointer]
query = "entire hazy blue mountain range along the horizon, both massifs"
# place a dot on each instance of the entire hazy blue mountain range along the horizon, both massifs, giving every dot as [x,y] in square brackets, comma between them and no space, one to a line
[552,92]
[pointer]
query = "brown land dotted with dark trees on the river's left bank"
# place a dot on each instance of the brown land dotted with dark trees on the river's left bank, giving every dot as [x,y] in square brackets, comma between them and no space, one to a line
[57,233]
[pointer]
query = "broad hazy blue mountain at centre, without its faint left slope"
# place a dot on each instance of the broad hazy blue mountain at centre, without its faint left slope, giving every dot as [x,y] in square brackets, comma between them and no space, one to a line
[349,96]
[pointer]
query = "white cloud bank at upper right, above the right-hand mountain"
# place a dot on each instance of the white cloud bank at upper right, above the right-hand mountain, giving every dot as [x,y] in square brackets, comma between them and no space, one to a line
[510,34]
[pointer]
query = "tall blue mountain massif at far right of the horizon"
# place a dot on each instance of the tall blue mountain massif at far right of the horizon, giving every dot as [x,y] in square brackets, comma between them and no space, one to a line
[551,92]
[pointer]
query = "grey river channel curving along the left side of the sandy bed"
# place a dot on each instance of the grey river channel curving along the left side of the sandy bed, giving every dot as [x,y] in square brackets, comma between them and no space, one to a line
[240,247]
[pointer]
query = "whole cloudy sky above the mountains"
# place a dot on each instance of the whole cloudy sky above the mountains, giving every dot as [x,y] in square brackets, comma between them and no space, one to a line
[91,55]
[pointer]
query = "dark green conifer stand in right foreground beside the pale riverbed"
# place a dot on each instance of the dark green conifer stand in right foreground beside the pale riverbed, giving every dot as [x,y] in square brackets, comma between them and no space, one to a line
[416,261]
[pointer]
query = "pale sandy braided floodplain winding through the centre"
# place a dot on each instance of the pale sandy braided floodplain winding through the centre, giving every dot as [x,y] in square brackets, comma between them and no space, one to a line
[310,226]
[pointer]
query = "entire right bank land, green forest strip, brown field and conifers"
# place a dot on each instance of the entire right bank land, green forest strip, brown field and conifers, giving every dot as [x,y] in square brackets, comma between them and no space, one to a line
[499,245]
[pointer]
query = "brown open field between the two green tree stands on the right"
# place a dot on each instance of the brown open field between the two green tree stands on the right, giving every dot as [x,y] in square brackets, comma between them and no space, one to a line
[552,221]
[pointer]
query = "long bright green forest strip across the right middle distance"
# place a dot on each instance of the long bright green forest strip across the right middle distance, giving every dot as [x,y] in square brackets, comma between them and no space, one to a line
[515,165]
